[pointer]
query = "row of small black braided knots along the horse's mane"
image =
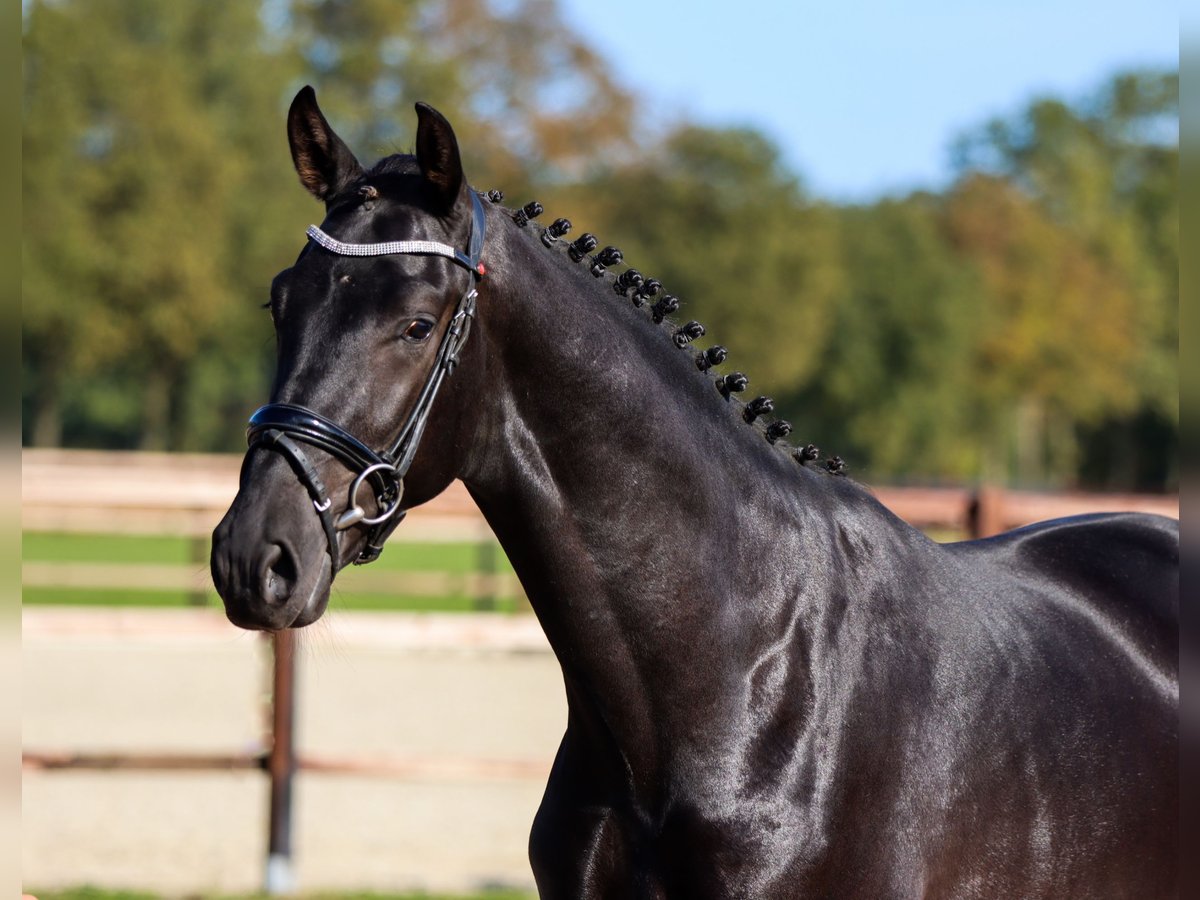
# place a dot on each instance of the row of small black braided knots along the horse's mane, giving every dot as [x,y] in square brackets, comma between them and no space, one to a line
[633,286]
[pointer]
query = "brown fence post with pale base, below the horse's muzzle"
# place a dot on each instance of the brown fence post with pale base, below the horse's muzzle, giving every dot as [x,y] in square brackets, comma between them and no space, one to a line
[281,766]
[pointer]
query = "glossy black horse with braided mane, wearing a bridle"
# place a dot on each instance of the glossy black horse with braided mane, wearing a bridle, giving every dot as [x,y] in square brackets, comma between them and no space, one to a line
[777,689]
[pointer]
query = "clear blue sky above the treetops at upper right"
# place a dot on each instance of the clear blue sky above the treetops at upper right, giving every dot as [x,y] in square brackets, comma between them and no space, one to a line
[866,98]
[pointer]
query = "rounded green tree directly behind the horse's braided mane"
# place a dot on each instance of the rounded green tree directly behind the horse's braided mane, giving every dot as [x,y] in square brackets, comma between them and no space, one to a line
[716,217]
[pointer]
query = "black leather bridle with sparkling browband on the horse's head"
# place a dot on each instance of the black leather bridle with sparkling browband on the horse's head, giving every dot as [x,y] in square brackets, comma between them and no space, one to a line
[280,427]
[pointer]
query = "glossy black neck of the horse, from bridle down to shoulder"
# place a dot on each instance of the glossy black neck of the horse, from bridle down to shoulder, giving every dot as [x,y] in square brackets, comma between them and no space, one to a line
[643,517]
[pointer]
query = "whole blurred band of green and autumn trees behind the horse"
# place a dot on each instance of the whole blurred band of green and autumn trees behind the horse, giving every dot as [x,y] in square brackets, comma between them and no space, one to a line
[1019,326]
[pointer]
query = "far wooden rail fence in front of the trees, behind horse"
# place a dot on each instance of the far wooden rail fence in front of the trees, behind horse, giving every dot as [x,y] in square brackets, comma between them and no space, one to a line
[97,493]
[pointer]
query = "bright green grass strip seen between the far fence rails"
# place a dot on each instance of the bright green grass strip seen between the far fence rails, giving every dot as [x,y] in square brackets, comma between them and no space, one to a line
[399,557]
